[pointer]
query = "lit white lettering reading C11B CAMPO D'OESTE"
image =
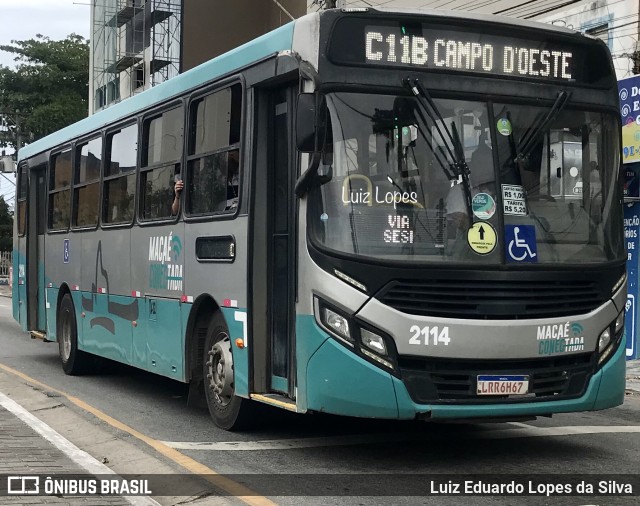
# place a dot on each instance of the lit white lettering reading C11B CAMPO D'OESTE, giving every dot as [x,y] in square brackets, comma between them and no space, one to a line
[455,51]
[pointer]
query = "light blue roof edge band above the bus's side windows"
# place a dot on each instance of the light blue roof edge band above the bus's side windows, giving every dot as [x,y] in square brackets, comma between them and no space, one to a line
[273,42]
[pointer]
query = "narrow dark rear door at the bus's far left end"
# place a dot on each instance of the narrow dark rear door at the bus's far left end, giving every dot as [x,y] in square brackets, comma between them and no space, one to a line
[35,250]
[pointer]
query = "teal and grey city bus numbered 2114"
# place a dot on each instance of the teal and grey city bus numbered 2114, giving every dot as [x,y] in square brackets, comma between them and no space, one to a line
[387,214]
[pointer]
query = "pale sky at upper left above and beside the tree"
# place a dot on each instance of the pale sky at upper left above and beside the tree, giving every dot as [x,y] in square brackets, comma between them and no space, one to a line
[24,19]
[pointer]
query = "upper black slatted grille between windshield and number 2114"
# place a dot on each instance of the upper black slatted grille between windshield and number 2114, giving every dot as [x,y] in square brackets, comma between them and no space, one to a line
[492,299]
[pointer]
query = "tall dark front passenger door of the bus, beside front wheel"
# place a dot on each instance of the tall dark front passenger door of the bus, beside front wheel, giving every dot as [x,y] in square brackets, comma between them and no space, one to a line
[273,265]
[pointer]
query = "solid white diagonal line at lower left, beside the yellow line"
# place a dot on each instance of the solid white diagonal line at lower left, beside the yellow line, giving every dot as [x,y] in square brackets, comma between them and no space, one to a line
[80,457]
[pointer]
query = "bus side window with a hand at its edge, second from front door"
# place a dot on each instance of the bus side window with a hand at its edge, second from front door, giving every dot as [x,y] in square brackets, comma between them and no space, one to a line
[162,151]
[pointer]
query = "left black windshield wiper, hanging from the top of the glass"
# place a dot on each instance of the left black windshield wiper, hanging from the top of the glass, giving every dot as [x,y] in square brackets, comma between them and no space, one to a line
[459,168]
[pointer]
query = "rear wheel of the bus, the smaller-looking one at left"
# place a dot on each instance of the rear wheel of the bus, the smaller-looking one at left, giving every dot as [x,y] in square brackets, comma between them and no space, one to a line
[73,360]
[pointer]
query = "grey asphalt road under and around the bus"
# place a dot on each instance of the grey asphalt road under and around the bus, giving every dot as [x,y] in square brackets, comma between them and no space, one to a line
[331,451]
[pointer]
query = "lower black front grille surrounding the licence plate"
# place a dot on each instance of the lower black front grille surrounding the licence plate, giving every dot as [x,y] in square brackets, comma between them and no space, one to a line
[430,380]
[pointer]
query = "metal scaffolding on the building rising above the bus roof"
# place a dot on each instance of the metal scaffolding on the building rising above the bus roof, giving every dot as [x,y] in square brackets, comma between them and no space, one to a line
[135,45]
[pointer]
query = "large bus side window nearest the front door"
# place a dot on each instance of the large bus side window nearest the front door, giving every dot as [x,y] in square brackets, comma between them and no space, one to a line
[214,153]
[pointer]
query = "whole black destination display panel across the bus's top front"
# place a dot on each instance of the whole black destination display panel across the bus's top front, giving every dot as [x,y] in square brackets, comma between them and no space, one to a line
[470,47]
